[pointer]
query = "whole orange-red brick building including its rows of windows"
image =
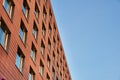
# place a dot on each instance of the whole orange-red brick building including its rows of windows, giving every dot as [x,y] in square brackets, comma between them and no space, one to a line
[30,44]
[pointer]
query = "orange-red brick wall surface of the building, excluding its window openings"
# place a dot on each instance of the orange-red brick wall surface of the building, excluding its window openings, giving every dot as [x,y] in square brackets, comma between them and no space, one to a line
[8,68]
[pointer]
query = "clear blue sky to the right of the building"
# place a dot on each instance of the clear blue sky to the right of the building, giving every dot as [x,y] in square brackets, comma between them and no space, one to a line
[90,33]
